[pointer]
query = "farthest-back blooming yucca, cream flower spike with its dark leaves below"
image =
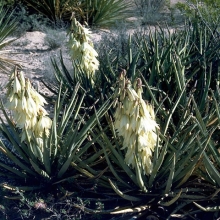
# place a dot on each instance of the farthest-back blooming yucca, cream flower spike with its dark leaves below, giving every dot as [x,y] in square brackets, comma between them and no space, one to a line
[84,65]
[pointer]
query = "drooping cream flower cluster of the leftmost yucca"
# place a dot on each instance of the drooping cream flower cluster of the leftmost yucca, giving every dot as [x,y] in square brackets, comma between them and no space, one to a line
[26,104]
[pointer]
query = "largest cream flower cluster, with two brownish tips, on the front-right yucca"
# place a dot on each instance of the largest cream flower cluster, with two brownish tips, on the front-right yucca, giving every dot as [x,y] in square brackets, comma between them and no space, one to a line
[135,122]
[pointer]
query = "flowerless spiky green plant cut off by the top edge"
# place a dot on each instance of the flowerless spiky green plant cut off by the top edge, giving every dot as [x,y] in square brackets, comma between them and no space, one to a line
[97,12]
